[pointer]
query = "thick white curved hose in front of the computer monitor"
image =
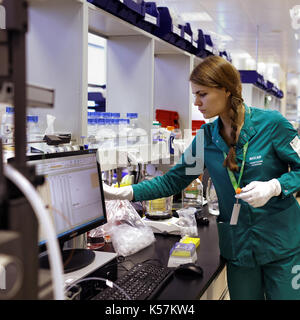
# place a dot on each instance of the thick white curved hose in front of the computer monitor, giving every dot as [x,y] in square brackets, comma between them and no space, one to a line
[43,217]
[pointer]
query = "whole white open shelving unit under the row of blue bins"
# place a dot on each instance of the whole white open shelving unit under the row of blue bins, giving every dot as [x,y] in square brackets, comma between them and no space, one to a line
[143,71]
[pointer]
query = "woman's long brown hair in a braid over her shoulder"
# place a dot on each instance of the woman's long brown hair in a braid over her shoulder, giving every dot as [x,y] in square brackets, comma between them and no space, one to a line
[217,72]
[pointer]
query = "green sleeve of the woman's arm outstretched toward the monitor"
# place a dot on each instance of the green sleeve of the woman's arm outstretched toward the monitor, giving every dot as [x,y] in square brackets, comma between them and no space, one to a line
[178,177]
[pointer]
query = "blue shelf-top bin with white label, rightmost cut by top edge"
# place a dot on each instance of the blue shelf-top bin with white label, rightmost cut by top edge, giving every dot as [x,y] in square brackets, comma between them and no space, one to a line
[151,21]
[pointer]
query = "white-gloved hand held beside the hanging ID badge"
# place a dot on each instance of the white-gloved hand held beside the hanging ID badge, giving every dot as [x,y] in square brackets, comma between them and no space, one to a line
[258,193]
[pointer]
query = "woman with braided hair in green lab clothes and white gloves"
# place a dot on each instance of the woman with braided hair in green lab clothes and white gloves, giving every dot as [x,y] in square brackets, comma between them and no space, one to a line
[252,149]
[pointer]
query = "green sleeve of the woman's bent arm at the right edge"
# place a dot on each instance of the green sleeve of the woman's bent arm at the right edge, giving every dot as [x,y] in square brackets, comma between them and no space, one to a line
[287,146]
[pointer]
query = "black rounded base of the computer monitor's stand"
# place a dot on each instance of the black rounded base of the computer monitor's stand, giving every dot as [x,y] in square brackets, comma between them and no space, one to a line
[73,259]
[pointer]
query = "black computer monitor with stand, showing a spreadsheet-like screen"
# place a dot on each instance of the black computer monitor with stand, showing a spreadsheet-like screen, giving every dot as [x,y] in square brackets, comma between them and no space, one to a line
[73,194]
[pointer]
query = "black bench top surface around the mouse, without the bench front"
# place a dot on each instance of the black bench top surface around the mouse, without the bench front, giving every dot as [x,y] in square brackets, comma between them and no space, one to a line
[185,287]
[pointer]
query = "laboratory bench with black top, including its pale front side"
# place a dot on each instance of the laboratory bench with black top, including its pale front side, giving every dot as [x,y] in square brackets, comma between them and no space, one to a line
[211,286]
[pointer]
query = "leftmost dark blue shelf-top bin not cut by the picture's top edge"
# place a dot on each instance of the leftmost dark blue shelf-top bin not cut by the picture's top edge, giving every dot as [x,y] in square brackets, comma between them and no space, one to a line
[167,31]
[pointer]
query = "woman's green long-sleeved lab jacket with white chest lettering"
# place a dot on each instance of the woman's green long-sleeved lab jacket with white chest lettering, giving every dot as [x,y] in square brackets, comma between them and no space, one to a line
[263,234]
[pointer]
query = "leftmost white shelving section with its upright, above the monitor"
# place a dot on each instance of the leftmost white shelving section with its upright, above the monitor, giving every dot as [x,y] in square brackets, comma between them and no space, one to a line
[56,58]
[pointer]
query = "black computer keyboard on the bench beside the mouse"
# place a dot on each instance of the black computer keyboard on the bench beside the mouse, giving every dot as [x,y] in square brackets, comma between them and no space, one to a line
[143,282]
